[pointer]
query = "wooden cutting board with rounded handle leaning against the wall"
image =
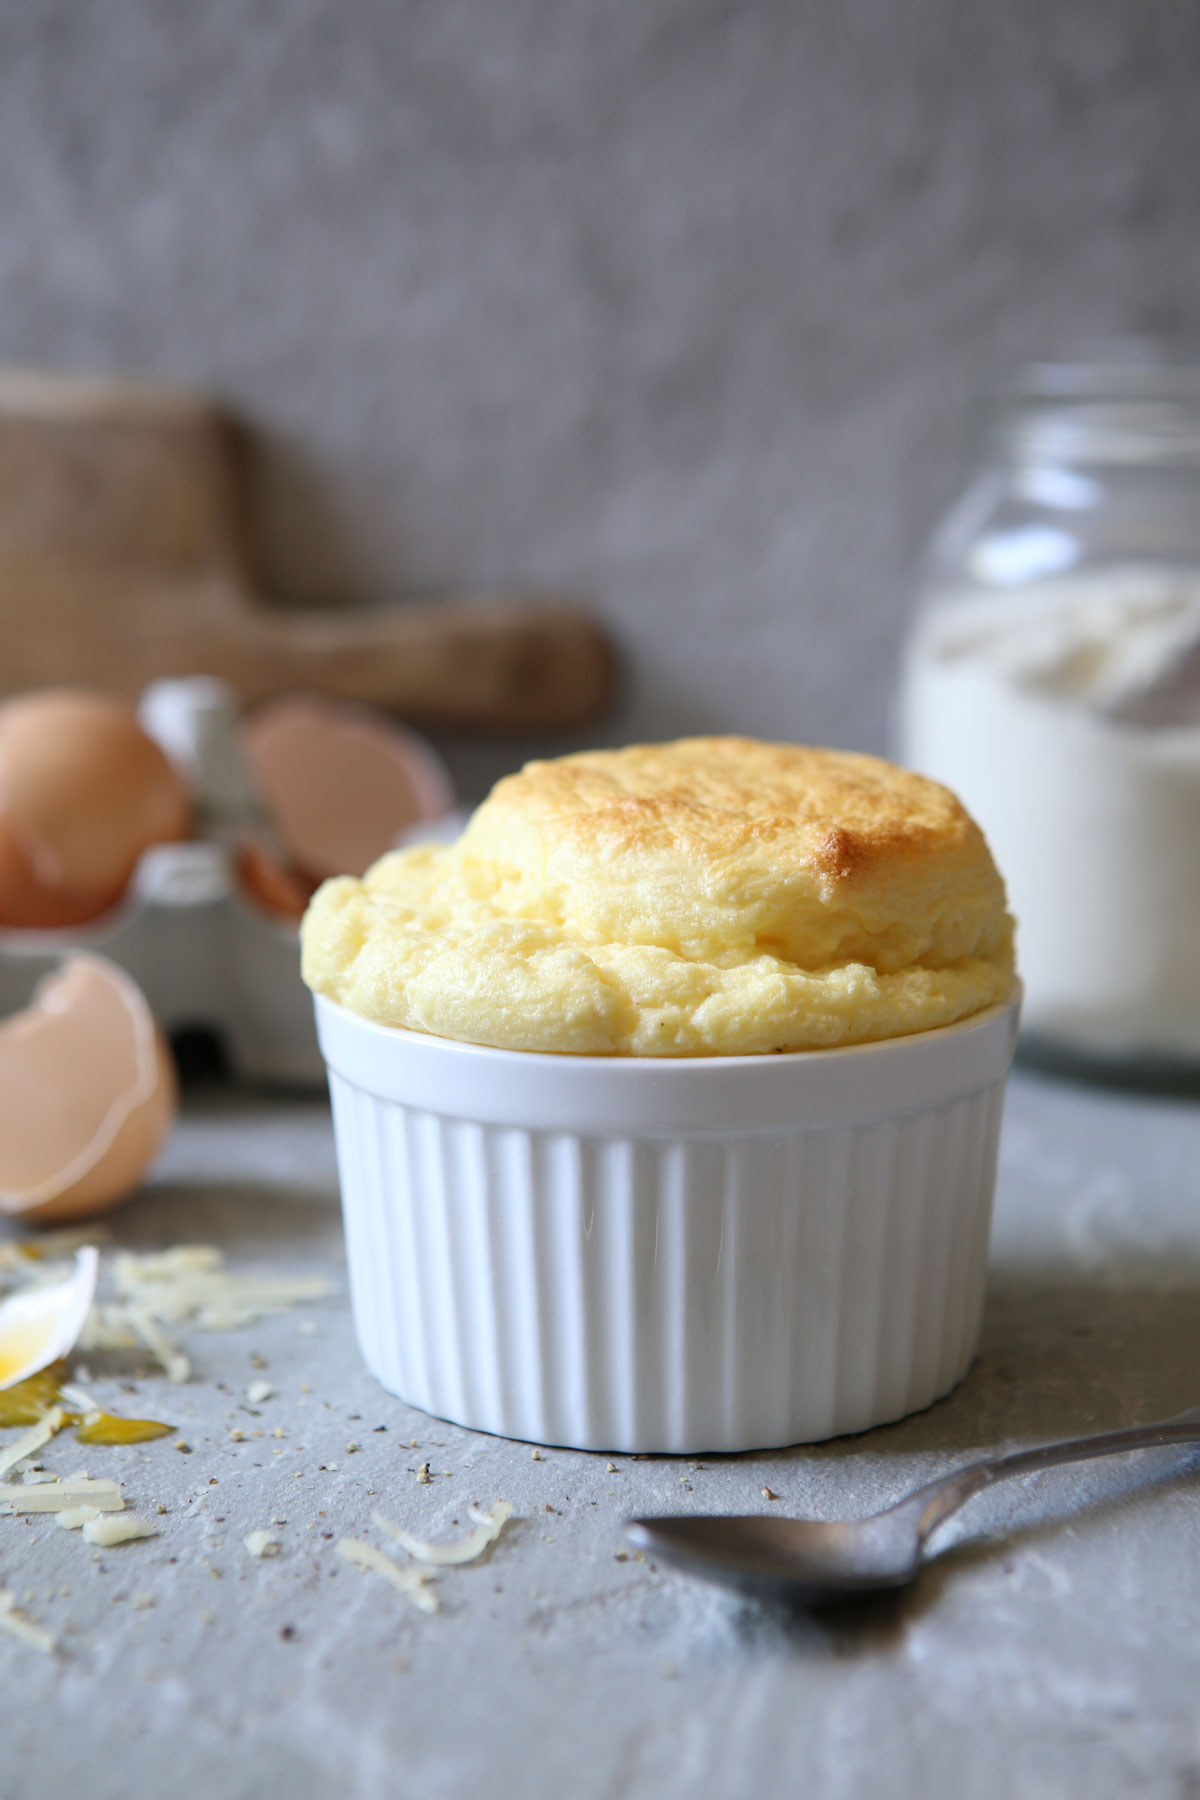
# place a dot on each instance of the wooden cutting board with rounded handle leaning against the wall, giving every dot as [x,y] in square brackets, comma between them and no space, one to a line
[123,559]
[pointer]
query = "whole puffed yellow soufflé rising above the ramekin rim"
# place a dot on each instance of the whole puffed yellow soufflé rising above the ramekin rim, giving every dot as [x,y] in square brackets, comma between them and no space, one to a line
[695,899]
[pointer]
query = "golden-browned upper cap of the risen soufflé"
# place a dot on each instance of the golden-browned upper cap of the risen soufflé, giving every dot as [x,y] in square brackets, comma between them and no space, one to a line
[726,843]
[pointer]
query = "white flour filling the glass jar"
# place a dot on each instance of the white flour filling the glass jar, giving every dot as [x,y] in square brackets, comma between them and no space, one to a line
[1068,719]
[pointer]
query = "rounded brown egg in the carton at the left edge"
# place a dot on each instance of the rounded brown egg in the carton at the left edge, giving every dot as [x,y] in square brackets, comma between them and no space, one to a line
[84,793]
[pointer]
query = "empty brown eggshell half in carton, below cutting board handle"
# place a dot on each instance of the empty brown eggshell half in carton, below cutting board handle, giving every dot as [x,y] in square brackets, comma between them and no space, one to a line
[341,782]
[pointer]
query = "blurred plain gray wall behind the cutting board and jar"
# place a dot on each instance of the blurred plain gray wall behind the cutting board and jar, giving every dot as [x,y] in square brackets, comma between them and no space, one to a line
[677,307]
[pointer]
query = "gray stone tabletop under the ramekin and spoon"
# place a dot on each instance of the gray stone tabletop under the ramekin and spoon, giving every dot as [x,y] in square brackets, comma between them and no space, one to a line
[1050,1648]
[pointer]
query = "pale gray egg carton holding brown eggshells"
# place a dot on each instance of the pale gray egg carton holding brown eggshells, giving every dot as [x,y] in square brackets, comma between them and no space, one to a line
[202,951]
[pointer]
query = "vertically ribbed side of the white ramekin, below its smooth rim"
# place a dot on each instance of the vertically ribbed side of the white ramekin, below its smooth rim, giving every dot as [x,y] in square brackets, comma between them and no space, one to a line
[667,1295]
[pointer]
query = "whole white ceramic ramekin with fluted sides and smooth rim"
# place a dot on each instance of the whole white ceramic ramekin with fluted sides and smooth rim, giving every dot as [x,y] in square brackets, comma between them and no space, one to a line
[668,1254]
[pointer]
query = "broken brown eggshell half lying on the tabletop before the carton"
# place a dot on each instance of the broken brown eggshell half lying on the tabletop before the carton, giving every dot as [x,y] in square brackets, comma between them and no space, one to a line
[87,1095]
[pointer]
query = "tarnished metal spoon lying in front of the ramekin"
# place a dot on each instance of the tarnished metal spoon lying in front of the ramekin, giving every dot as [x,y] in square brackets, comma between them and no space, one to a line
[821,1561]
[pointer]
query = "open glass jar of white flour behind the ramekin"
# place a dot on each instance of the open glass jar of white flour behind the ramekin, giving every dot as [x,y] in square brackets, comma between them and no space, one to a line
[1053,681]
